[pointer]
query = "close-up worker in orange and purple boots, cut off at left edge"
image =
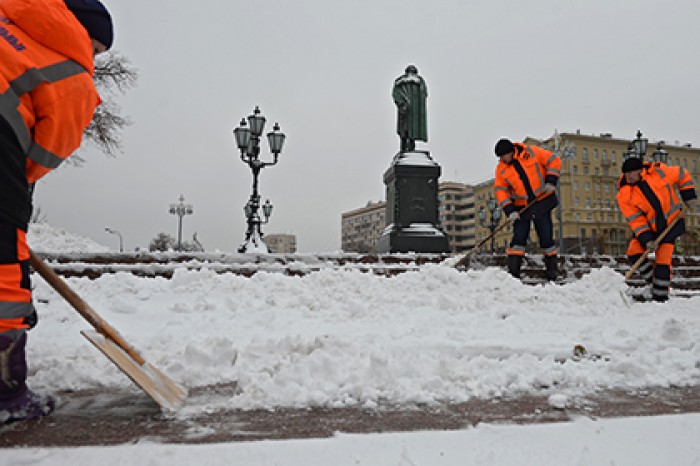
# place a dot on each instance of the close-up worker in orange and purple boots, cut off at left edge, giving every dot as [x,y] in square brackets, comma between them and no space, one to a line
[47,99]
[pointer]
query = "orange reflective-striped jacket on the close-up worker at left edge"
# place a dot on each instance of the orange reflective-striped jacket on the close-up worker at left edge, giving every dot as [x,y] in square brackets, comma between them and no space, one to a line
[46,90]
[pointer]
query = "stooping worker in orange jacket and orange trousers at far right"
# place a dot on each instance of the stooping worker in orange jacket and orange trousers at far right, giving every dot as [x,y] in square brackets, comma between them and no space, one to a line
[650,197]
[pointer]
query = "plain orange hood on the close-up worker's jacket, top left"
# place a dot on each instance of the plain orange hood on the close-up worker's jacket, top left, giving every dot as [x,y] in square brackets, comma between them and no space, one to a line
[51,23]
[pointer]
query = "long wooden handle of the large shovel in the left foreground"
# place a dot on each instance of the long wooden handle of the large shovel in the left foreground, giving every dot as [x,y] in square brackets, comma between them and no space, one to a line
[62,288]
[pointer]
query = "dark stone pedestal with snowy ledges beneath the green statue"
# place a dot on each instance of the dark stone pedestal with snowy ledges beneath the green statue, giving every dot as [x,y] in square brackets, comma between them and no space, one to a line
[412,206]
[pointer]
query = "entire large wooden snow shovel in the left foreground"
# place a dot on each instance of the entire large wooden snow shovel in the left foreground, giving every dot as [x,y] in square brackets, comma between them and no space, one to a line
[169,395]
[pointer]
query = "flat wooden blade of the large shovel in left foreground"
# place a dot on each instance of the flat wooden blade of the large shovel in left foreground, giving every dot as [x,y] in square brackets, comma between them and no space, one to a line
[169,395]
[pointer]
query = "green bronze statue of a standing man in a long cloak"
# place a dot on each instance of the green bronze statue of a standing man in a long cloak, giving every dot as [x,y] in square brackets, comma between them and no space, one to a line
[410,94]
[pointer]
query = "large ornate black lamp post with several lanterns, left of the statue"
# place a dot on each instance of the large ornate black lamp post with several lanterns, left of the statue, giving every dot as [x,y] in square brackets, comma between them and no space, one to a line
[247,137]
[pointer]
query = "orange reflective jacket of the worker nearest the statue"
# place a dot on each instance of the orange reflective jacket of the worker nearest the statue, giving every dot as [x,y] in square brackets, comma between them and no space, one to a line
[516,188]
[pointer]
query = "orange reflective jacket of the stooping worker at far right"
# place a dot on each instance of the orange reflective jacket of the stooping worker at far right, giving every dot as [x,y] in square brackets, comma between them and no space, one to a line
[655,200]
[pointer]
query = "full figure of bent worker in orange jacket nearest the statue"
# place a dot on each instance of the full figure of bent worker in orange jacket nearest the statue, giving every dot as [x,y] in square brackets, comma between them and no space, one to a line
[528,175]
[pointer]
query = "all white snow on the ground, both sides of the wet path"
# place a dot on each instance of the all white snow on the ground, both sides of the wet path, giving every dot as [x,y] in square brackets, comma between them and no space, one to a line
[346,338]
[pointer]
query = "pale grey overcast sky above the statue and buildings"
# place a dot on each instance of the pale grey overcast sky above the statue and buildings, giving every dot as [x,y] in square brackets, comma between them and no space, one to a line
[324,70]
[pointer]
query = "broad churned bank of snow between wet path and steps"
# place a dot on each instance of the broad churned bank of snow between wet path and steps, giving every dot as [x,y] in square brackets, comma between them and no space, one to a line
[346,338]
